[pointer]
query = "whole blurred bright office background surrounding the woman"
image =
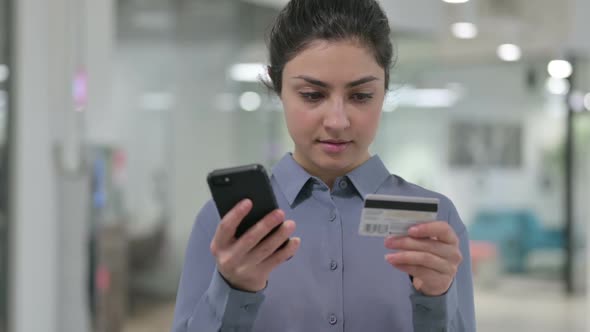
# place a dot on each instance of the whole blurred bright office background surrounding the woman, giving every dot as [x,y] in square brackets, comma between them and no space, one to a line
[112,112]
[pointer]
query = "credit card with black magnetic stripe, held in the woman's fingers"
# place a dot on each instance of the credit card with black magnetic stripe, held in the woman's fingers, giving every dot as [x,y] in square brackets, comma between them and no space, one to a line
[385,215]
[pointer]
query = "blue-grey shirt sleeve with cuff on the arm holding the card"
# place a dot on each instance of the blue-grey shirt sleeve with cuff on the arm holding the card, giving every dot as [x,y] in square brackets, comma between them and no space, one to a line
[453,311]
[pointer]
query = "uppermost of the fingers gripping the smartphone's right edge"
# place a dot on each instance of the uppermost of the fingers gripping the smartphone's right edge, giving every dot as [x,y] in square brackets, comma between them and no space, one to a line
[257,232]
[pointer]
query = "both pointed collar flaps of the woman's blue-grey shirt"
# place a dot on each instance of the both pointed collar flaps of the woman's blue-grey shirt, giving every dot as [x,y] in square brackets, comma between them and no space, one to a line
[291,177]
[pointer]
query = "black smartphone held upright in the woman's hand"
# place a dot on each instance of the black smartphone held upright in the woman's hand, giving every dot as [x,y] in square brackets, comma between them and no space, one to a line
[229,186]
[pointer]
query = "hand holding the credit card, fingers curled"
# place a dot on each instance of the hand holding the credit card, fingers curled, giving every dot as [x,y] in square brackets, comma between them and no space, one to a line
[430,254]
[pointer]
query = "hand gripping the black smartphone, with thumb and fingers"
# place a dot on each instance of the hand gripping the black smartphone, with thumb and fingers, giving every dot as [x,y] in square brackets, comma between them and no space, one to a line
[246,262]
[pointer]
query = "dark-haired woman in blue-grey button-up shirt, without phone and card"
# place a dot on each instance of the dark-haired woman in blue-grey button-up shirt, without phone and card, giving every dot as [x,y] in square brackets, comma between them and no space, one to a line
[329,63]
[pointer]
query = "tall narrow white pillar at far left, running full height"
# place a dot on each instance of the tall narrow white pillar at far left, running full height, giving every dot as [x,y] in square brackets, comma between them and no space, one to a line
[35,225]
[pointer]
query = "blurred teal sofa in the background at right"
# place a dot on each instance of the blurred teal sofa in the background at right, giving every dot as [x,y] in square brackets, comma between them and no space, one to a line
[517,234]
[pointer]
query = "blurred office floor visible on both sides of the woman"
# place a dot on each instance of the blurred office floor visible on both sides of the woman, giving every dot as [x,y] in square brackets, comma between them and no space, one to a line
[516,304]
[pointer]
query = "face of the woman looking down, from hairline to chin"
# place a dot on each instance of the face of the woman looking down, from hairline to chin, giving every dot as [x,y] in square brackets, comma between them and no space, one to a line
[332,95]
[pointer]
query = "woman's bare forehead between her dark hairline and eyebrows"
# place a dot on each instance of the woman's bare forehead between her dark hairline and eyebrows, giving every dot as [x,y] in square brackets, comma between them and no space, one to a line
[334,60]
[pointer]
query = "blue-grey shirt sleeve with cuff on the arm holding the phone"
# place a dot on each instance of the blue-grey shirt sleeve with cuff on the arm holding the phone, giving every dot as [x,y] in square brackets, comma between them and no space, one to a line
[205,302]
